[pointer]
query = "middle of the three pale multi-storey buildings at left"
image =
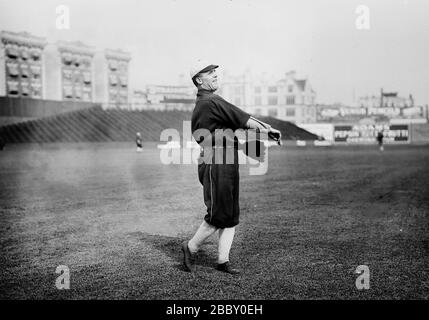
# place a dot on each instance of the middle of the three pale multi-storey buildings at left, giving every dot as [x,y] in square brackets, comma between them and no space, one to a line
[69,71]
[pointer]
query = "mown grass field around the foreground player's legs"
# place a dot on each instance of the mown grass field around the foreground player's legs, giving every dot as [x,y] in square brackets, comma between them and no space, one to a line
[116,218]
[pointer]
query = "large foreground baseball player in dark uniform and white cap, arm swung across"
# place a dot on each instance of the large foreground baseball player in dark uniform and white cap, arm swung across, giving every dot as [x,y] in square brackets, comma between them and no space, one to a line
[220,180]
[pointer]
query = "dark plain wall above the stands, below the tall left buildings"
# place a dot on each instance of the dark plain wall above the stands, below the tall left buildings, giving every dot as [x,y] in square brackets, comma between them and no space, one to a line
[28,107]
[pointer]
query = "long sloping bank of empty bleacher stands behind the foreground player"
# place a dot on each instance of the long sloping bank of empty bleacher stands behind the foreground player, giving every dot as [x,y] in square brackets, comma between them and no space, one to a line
[97,125]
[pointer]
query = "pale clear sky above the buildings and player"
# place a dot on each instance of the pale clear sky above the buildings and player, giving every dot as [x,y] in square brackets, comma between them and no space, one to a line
[319,39]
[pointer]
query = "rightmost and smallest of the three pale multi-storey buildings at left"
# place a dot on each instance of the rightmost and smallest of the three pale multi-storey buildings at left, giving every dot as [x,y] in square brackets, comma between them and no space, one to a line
[111,70]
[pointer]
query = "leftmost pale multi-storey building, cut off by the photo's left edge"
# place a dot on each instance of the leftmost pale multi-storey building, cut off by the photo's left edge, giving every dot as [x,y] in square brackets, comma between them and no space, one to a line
[21,65]
